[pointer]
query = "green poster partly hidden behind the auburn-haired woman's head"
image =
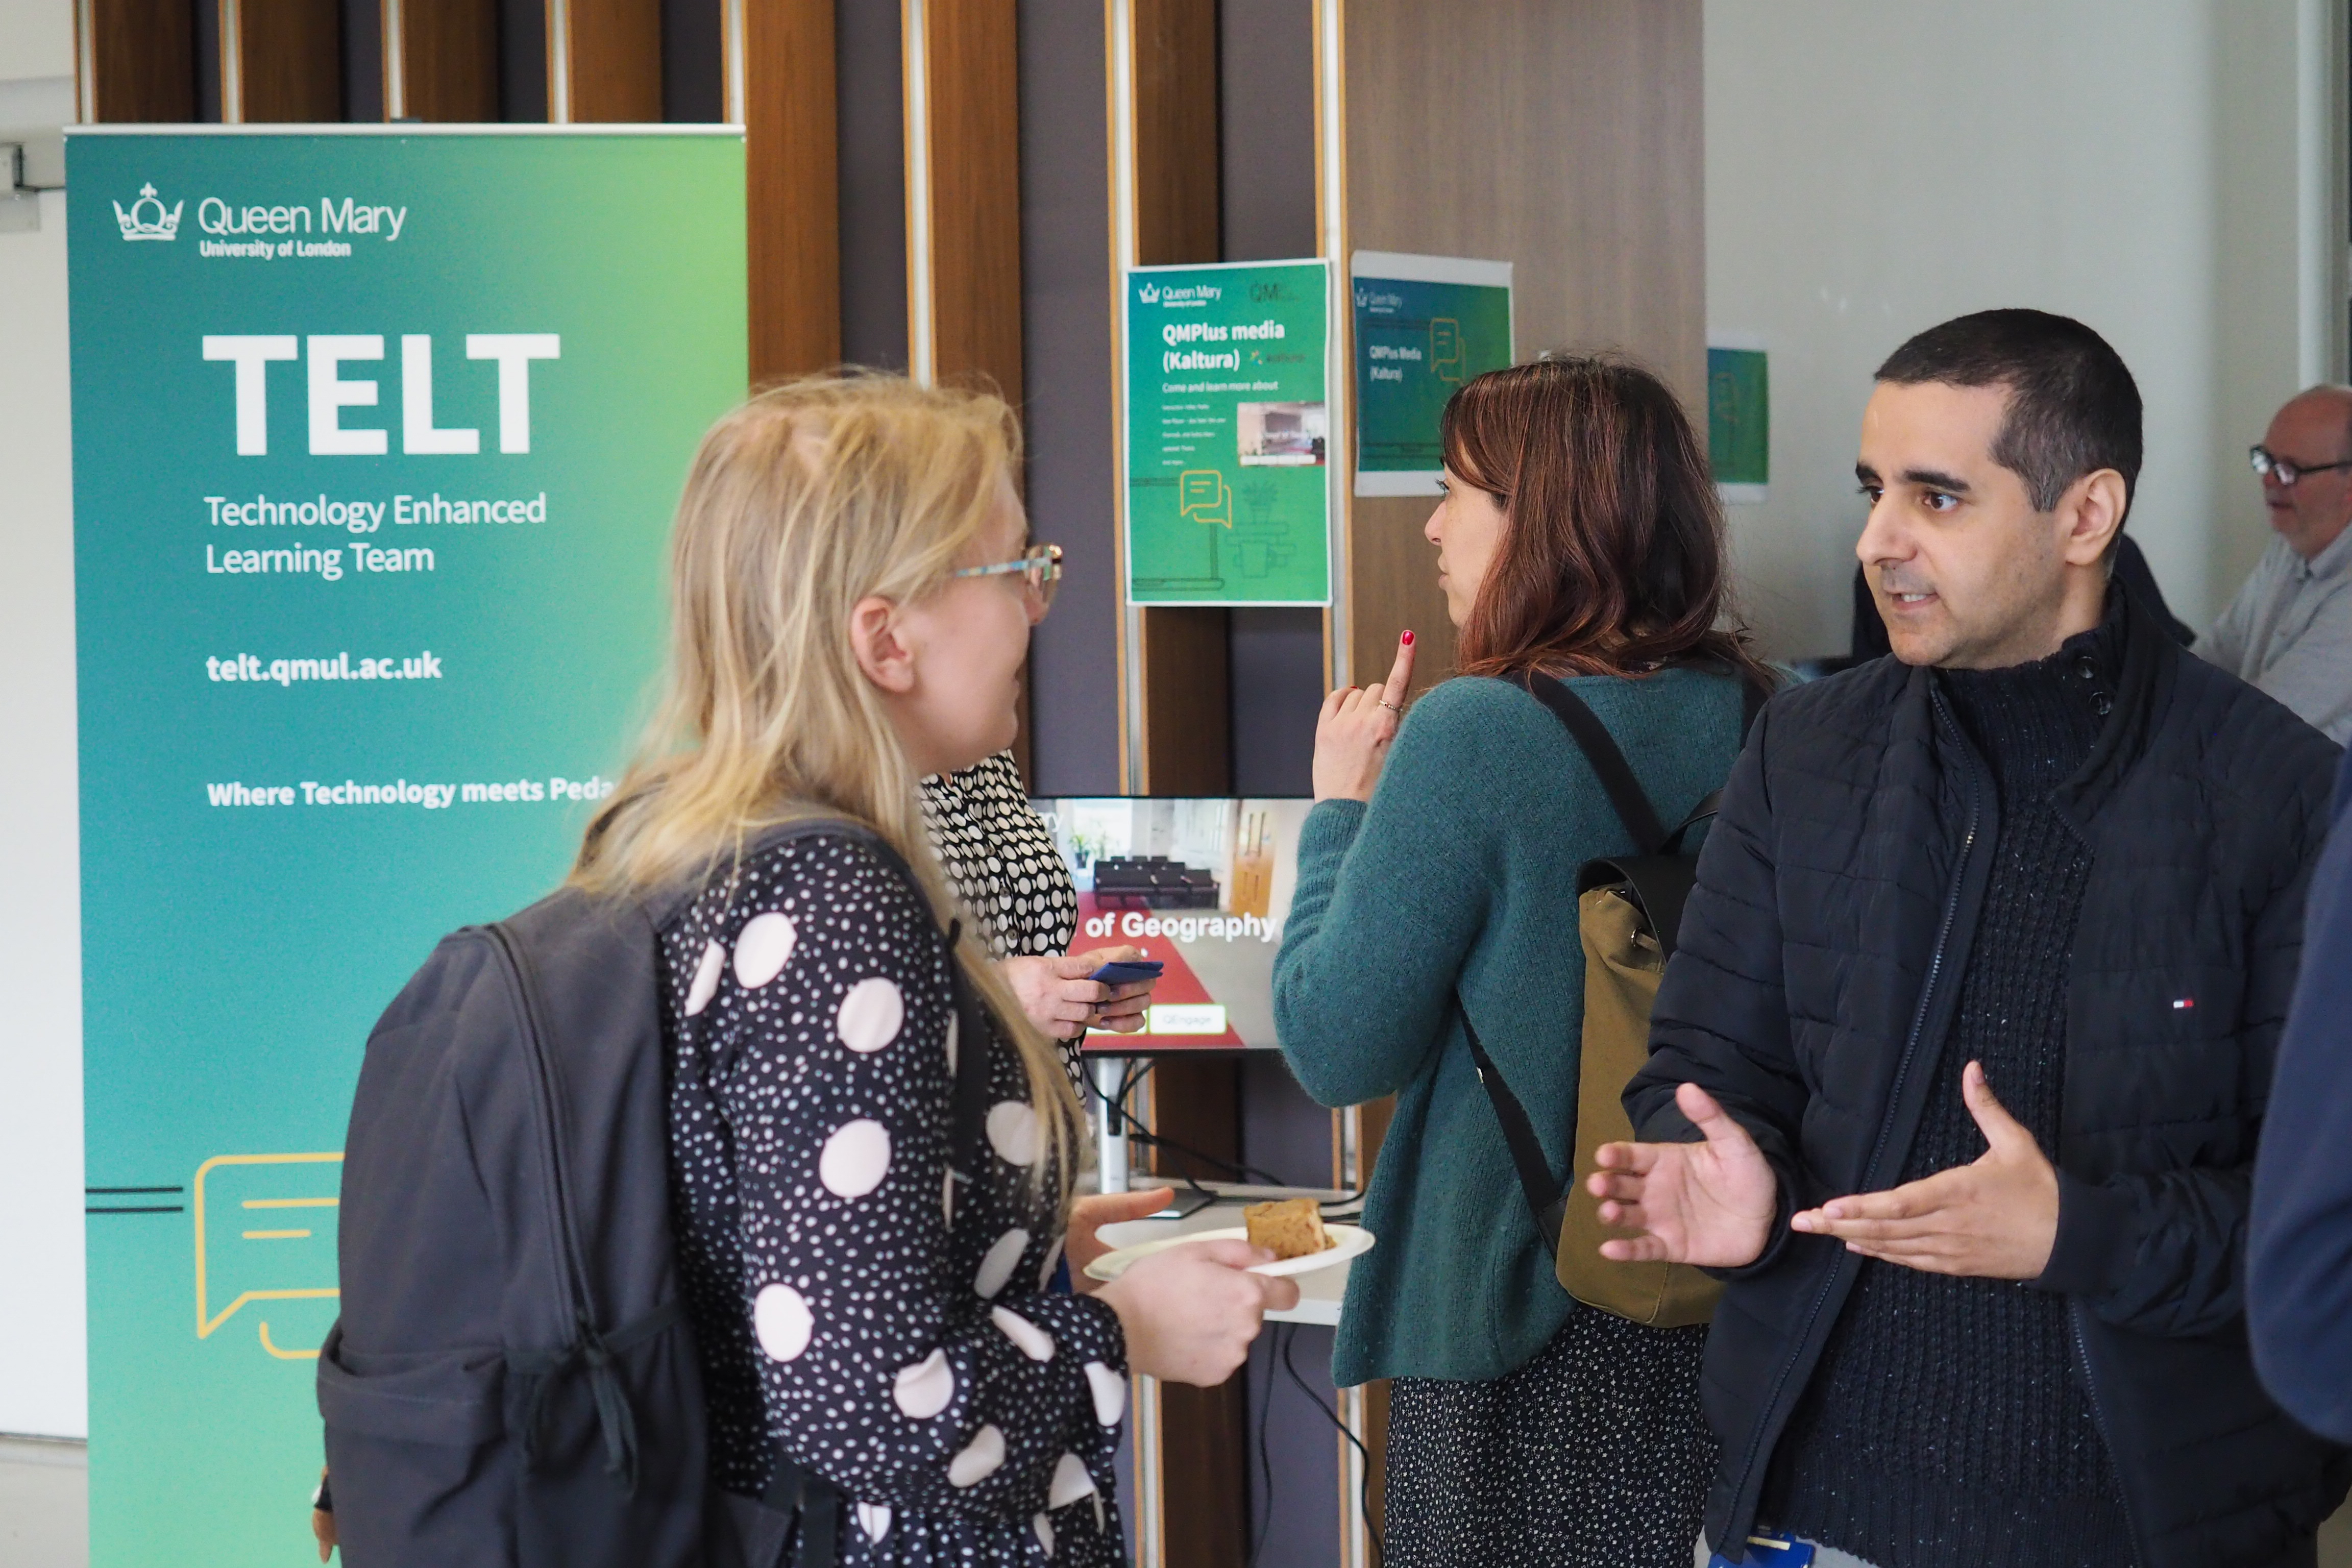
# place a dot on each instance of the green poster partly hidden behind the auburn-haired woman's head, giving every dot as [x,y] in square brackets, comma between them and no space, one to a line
[1422,328]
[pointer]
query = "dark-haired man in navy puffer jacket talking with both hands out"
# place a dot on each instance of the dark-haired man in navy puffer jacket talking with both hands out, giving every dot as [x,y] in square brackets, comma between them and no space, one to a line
[1963,1059]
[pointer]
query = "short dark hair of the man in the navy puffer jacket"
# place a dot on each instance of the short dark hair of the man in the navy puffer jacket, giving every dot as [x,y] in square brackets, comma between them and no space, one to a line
[2073,406]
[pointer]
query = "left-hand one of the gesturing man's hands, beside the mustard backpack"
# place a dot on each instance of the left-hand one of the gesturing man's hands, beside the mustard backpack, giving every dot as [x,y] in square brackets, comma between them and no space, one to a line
[1695,1202]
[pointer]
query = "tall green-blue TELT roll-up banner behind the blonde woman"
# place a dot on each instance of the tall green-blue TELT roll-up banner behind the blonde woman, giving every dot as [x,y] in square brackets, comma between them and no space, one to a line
[375,450]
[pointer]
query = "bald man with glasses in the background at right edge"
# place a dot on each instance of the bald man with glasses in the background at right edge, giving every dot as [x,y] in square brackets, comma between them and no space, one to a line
[2290,631]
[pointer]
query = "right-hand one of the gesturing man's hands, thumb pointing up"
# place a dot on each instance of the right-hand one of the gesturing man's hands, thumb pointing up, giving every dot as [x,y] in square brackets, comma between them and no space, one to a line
[1996,1219]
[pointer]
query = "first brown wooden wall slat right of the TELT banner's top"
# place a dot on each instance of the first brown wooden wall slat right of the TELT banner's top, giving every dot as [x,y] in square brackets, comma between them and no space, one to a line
[791,185]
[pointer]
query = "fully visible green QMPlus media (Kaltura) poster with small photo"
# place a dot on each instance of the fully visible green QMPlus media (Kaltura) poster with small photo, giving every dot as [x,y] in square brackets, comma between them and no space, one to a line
[1229,431]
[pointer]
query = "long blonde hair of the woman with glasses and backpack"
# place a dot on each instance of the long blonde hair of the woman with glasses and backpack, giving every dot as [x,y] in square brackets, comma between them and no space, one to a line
[803,502]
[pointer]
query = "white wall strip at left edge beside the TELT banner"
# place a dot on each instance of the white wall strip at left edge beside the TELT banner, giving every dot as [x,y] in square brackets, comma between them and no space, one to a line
[41,953]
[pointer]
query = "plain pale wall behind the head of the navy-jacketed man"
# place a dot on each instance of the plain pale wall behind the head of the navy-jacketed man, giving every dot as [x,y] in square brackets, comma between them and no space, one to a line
[1880,166]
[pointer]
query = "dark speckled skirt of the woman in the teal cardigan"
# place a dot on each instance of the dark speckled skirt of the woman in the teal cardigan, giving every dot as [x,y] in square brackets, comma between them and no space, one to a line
[1591,1456]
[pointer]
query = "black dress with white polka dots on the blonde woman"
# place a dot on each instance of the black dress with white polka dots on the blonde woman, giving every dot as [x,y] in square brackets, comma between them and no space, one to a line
[888,1327]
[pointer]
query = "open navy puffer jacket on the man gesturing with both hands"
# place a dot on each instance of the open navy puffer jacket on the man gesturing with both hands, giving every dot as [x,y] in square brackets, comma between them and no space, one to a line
[1817,979]
